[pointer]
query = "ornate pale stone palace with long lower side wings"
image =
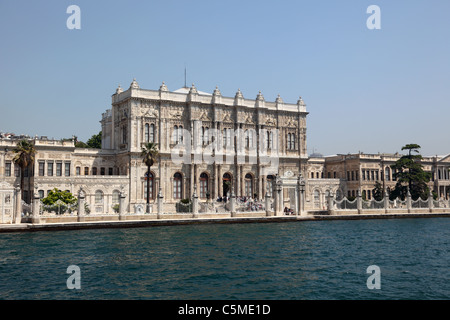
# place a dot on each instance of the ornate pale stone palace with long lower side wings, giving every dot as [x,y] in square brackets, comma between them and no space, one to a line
[251,142]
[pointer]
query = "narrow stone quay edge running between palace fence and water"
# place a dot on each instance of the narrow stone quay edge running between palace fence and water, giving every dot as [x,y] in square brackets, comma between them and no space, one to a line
[149,221]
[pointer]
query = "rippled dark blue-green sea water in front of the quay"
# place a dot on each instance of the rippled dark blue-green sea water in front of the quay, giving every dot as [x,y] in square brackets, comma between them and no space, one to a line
[293,260]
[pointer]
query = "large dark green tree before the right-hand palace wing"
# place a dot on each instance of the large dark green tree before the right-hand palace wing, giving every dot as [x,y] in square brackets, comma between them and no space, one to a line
[410,175]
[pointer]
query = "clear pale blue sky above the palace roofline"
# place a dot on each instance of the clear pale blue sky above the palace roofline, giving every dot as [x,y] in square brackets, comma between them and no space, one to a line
[366,90]
